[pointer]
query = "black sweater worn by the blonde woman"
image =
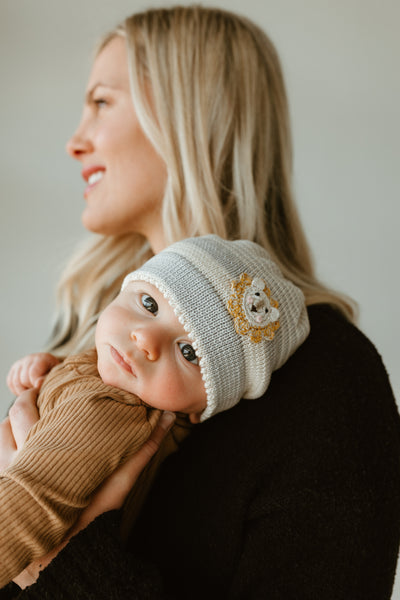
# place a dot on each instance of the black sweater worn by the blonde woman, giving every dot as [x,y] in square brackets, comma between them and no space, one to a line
[293,496]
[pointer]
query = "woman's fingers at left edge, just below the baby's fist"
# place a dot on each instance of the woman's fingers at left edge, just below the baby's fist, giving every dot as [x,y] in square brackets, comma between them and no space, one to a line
[13,430]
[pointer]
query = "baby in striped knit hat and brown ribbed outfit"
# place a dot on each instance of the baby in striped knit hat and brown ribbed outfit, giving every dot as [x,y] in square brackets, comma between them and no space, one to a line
[200,326]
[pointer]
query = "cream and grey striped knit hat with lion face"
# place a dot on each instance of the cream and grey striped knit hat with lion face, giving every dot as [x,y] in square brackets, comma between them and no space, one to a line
[243,317]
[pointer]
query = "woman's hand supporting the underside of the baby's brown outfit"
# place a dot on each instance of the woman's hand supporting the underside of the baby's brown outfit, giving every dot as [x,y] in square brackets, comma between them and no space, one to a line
[110,495]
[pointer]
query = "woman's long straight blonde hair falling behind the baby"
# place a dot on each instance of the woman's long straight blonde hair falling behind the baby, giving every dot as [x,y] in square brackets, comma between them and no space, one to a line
[208,90]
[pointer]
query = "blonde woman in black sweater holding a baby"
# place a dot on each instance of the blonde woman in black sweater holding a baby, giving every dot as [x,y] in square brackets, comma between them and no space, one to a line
[296,495]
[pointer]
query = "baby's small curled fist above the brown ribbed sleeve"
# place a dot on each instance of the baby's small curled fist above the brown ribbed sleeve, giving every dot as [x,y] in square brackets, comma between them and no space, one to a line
[29,372]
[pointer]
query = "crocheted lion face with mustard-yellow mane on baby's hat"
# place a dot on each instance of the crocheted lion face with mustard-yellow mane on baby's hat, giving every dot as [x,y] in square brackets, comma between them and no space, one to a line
[254,311]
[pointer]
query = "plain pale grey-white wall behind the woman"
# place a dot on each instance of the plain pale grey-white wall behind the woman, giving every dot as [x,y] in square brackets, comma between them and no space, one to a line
[341,66]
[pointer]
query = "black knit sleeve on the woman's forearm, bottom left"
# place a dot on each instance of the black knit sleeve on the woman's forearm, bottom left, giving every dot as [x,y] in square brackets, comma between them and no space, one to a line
[82,570]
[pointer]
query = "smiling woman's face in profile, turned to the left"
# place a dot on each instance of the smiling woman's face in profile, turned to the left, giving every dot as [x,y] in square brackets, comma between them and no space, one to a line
[125,176]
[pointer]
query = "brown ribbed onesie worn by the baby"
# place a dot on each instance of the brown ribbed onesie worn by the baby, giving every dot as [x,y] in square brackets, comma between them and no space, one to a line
[86,429]
